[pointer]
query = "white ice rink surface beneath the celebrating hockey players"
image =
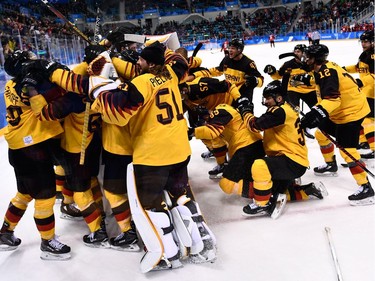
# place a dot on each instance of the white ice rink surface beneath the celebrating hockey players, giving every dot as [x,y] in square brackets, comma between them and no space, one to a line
[292,248]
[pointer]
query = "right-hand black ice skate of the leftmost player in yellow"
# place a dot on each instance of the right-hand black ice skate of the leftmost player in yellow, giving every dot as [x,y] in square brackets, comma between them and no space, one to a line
[54,250]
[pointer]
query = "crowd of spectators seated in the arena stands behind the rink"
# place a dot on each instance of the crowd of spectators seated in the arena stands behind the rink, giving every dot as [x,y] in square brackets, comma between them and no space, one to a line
[14,23]
